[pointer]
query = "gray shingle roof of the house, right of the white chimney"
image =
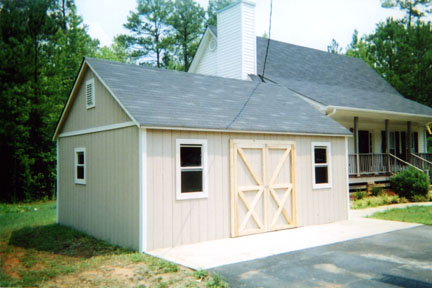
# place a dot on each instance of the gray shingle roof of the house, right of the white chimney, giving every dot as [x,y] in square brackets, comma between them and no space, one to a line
[331,79]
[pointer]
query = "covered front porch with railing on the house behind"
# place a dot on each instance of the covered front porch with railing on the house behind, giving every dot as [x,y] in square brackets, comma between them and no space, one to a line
[385,143]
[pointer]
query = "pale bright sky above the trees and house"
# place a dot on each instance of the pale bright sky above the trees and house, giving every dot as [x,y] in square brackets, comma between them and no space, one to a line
[309,23]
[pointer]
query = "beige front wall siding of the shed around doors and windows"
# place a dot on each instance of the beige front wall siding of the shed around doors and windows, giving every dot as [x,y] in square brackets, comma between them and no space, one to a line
[174,222]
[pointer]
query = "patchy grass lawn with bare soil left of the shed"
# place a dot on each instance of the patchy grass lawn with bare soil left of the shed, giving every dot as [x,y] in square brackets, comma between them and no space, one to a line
[35,251]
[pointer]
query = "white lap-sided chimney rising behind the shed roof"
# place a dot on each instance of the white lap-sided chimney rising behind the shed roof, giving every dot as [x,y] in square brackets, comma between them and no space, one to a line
[236,40]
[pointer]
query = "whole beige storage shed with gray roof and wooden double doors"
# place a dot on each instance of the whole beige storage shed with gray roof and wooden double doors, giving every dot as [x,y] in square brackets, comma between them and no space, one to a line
[150,158]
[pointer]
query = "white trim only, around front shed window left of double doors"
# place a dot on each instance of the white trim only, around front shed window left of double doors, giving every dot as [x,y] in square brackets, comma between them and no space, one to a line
[192,195]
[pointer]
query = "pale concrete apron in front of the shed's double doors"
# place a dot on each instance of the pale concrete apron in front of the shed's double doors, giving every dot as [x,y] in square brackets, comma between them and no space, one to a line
[210,254]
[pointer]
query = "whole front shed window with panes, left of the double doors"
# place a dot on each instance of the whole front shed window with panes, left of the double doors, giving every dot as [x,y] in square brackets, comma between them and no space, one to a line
[191,169]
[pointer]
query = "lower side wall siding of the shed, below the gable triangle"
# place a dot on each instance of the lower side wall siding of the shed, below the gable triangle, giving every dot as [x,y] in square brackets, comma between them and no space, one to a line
[107,205]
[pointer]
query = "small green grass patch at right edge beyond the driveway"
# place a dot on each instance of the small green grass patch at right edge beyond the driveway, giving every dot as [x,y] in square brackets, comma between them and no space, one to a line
[413,214]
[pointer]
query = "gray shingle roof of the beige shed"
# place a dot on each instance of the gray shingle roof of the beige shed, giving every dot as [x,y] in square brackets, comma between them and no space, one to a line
[163,98]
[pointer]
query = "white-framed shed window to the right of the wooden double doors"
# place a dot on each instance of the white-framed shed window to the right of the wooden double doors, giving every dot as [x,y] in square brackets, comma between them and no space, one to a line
[321,165]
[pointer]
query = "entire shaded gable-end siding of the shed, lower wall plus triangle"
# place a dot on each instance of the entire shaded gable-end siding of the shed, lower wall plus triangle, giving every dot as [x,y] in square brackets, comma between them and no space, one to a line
[107,205]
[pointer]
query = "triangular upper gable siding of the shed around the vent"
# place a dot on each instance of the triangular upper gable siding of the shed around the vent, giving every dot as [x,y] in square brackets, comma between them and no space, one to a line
[106,112]
